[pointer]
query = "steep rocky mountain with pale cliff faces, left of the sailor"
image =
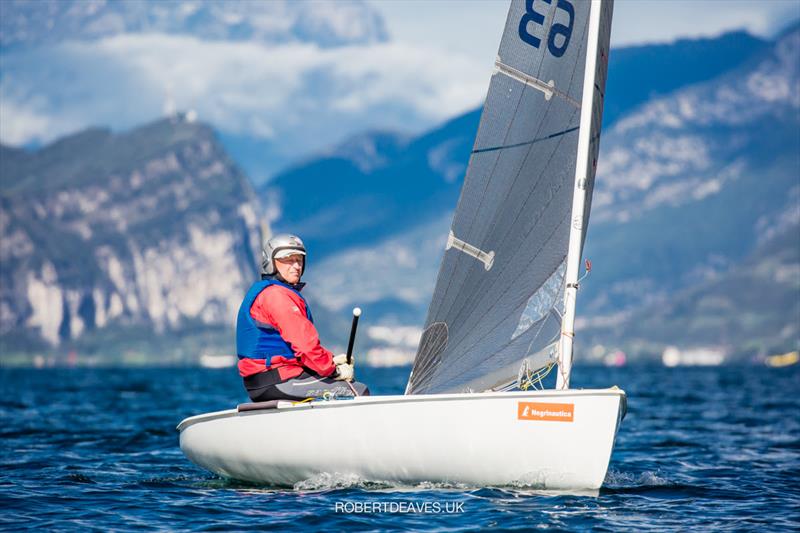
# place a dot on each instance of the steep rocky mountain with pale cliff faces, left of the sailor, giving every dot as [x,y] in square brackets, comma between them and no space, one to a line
[124,244]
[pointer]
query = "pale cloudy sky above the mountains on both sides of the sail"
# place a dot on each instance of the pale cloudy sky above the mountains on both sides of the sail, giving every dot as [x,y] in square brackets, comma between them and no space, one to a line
[302,99]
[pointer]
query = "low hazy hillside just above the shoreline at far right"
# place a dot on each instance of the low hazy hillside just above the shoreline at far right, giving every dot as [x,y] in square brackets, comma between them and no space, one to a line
[749,310]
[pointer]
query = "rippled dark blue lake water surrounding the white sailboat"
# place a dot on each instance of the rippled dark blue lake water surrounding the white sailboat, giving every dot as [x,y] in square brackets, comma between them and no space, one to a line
[700,449]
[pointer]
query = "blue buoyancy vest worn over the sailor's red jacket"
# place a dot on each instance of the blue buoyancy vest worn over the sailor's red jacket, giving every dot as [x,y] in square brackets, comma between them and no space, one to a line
[257,340]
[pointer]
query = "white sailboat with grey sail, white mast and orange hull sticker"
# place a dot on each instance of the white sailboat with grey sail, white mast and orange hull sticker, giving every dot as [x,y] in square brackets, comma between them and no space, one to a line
[503,309]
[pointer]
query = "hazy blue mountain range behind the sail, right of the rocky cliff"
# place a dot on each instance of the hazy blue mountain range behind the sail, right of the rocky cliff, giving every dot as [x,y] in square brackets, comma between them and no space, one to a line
[691,185]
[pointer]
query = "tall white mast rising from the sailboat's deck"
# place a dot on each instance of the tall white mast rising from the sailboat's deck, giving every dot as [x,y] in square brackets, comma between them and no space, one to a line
[578,225]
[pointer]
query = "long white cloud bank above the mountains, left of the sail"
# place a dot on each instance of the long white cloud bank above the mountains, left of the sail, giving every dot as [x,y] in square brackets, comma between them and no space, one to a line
[301,95]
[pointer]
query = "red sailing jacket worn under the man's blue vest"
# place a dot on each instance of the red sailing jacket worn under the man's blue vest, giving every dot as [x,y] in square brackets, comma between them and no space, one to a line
[286,312]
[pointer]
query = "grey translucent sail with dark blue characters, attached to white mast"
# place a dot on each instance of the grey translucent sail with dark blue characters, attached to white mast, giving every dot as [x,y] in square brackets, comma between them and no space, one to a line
[499,298]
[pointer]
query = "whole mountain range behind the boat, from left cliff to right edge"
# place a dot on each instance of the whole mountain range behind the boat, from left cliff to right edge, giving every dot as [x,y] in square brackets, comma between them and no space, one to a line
[120,245]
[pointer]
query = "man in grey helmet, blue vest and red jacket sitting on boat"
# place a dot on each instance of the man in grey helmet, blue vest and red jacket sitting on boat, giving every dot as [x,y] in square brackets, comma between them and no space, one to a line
[280,355]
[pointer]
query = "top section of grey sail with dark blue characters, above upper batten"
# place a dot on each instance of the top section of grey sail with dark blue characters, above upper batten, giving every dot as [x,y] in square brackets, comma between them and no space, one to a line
[539,62]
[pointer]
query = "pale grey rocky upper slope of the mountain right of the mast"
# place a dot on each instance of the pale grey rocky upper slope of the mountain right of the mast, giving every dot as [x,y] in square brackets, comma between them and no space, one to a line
[688,145]
